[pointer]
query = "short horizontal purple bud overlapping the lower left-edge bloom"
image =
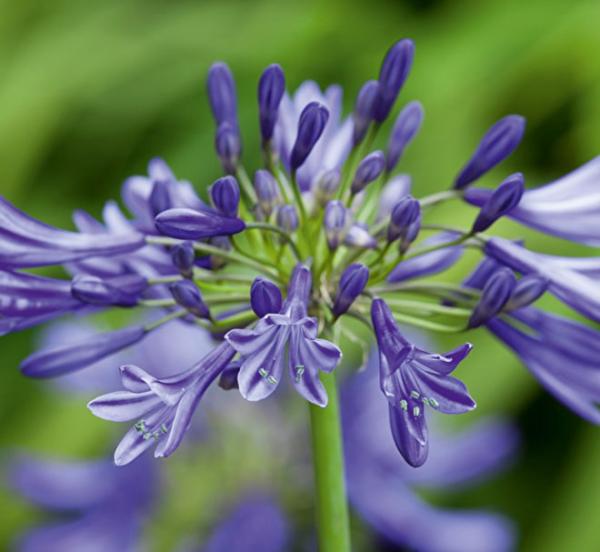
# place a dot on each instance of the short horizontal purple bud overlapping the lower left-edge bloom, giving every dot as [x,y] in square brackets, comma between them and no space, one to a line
[123,291]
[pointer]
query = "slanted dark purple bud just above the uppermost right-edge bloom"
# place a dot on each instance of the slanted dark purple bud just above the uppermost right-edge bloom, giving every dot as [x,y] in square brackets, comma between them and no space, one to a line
[497,144]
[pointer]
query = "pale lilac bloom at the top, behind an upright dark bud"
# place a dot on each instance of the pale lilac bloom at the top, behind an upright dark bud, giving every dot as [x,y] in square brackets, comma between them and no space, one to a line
[332,148]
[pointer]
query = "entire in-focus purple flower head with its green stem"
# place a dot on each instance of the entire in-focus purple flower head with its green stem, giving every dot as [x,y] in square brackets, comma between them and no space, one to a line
[279,264]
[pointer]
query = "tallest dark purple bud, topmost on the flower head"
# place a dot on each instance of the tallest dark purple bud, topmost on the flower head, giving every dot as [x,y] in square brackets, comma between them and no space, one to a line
[394,70]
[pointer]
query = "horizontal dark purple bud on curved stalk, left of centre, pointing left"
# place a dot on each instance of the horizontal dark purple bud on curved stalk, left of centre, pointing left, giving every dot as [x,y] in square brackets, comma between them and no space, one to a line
[190,224]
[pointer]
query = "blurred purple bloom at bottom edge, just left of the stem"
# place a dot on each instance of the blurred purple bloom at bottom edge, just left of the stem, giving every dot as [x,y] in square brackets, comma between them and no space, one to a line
[256,523]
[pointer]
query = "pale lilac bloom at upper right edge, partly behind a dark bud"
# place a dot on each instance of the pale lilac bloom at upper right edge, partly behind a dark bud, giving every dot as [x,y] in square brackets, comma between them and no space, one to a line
[568,207]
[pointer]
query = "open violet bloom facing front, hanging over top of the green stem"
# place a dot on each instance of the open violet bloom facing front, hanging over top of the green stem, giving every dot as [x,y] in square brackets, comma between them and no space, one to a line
[263,349]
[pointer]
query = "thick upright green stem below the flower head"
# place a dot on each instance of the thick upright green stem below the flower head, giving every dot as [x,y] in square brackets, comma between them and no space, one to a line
[328,461]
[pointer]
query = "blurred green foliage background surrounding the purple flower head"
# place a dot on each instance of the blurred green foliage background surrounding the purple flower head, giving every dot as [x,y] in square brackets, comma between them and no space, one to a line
[89,92]
